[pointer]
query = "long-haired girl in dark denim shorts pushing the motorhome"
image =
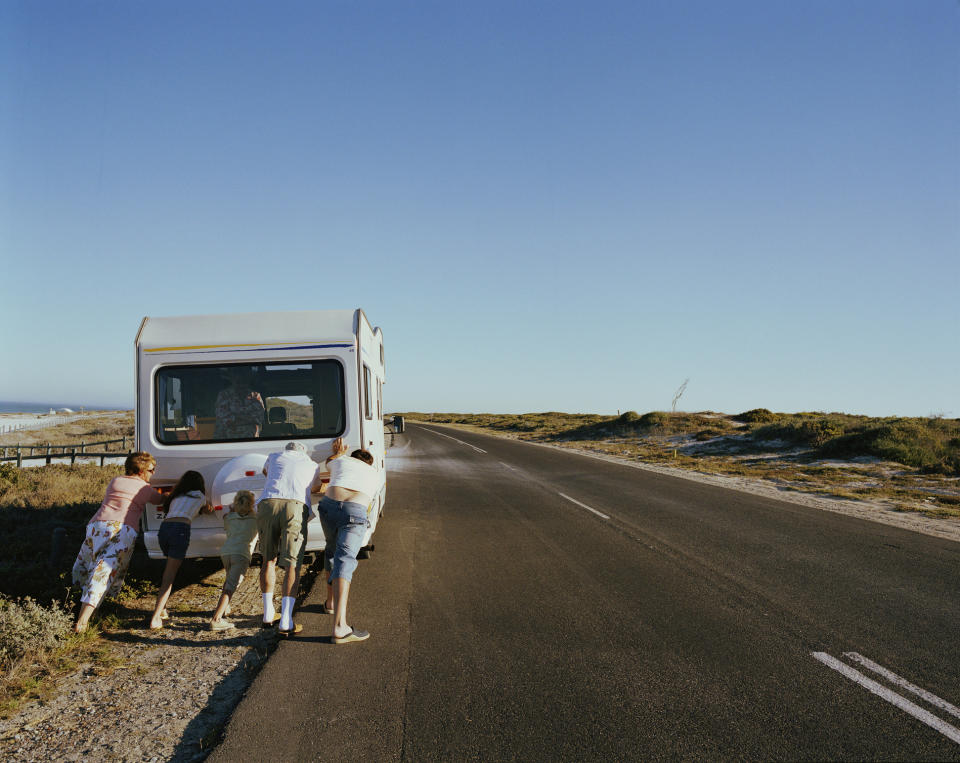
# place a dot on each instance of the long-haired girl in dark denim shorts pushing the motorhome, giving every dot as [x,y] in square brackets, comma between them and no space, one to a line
[184,502]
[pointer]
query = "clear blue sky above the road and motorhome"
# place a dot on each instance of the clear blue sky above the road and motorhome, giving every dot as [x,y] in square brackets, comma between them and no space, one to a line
[545,205]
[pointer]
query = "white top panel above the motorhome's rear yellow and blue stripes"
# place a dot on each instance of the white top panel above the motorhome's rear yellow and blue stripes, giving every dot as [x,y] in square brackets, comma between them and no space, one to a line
[247,328]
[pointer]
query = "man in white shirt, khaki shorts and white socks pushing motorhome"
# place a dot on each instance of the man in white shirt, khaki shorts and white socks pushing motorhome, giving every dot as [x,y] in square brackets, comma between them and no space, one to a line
[282,514]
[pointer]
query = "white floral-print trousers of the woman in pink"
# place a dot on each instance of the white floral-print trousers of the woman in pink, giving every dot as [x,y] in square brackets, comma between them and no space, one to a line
[103,560]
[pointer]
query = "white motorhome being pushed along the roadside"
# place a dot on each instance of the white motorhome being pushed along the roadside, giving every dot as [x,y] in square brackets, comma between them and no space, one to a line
[219,393]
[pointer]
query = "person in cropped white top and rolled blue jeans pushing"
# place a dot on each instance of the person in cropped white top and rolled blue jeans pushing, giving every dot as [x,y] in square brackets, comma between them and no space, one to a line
[343,514]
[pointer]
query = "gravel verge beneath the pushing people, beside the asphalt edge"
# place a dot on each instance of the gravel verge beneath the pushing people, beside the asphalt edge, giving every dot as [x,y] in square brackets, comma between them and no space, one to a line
[160,696]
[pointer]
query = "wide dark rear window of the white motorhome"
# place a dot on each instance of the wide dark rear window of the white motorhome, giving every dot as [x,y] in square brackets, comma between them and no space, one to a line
[249,401]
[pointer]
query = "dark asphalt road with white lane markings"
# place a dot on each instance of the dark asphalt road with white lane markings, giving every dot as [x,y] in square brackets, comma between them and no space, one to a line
[530,604]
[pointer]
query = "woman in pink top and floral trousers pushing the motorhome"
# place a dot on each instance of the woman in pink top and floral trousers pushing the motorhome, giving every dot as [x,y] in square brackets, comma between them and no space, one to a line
[111,534]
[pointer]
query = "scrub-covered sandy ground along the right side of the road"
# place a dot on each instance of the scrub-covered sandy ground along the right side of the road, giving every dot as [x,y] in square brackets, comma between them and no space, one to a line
[911,464]
